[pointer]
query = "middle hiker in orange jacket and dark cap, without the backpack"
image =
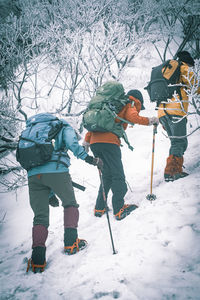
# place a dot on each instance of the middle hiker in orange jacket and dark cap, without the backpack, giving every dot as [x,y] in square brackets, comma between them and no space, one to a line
[106,145]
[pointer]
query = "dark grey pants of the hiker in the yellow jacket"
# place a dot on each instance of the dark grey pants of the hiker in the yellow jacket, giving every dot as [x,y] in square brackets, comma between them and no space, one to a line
[176,127]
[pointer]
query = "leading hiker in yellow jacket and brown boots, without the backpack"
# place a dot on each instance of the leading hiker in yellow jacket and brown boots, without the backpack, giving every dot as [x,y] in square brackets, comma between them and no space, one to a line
[173,117]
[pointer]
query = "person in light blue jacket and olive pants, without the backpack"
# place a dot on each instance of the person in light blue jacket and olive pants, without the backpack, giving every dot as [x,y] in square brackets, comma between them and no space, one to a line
[51,179]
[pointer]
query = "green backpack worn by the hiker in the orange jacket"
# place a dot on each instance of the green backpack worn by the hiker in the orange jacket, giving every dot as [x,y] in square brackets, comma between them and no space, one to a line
[103,108]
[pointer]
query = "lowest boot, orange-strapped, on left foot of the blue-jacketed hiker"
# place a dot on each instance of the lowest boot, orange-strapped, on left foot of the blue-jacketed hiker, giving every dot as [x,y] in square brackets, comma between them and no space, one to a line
[37,262]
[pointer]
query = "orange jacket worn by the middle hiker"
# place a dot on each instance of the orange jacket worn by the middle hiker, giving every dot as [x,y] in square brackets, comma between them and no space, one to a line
[128,112]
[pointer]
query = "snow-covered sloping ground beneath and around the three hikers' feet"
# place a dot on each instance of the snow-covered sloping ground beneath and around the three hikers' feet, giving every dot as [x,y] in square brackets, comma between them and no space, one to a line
[158,245]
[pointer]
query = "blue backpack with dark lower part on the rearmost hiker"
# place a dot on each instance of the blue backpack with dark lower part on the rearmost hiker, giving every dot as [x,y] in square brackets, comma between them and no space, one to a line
[35,145]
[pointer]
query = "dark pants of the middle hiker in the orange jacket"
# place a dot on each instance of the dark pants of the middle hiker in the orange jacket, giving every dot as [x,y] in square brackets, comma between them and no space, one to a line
[113,175]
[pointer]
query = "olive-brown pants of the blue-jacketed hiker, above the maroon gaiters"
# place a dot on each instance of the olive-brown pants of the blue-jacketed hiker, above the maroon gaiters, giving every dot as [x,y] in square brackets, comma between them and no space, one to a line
[40,187]
